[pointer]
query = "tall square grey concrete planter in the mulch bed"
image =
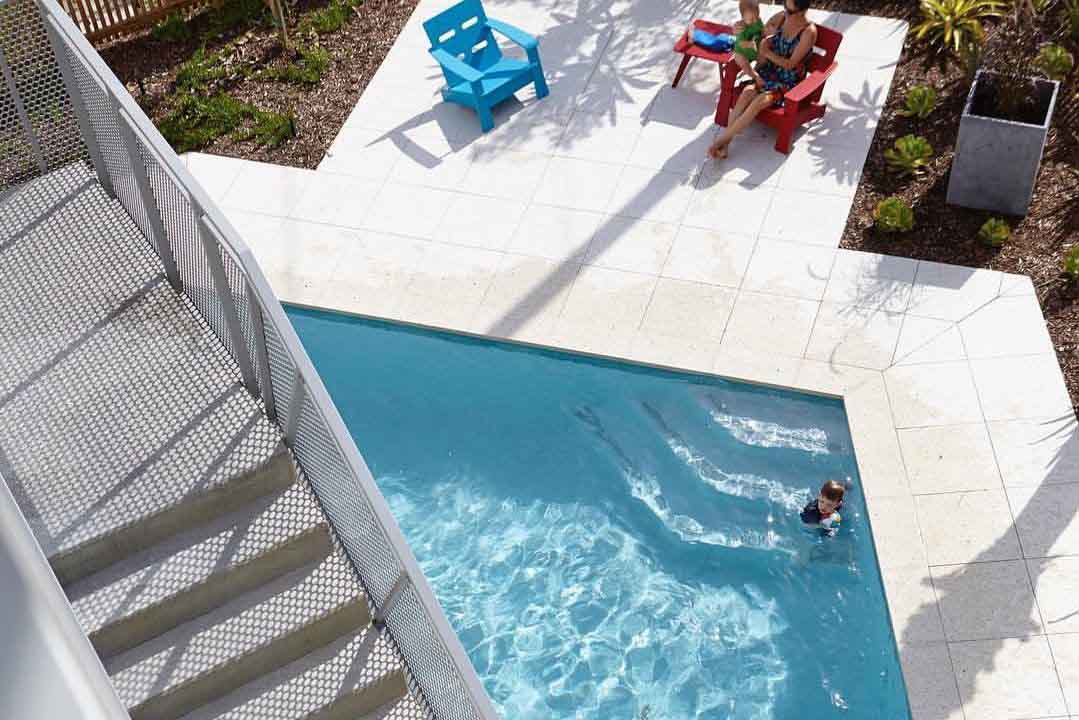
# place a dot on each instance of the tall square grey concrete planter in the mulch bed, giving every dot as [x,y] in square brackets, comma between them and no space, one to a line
[996,161]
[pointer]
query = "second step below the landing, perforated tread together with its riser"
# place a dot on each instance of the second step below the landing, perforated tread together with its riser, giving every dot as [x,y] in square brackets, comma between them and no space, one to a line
[243,641]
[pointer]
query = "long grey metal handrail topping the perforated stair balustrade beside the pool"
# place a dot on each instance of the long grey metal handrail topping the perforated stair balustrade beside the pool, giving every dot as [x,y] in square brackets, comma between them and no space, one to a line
[230,242]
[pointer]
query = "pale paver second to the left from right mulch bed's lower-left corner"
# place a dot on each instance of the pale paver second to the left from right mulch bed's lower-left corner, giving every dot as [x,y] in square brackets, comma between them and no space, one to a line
[709,256]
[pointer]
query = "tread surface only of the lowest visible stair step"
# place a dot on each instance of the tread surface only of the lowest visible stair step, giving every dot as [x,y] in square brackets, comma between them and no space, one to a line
[312,683]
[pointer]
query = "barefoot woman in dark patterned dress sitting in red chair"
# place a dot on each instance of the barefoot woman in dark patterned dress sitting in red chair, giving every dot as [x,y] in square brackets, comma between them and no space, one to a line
[782,64]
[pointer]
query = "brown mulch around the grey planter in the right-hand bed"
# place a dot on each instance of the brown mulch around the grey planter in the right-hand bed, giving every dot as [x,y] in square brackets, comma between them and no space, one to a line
[947,234]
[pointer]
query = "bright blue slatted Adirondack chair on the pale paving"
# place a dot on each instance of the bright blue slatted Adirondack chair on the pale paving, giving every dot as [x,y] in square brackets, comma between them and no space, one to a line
[477,76]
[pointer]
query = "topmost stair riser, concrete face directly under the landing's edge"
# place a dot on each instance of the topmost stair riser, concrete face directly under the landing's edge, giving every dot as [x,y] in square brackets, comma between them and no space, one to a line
[195,509]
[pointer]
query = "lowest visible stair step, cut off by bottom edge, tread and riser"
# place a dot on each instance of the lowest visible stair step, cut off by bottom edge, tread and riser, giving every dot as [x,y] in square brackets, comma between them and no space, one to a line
[356,678]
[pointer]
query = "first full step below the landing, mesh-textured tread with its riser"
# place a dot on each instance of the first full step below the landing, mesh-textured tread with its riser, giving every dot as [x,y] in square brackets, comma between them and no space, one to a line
[187,576]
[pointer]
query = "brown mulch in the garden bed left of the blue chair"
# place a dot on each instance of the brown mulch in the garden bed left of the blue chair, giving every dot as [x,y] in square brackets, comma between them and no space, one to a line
[148,69]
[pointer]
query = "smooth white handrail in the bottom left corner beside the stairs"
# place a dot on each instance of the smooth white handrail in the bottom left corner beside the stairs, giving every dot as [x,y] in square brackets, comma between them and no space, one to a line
[75,665]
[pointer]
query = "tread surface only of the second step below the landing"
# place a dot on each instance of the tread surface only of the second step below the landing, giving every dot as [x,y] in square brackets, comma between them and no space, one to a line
[252,621]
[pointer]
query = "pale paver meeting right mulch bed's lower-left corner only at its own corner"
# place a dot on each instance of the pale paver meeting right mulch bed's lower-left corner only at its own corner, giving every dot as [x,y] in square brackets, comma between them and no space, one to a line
[789,269]
